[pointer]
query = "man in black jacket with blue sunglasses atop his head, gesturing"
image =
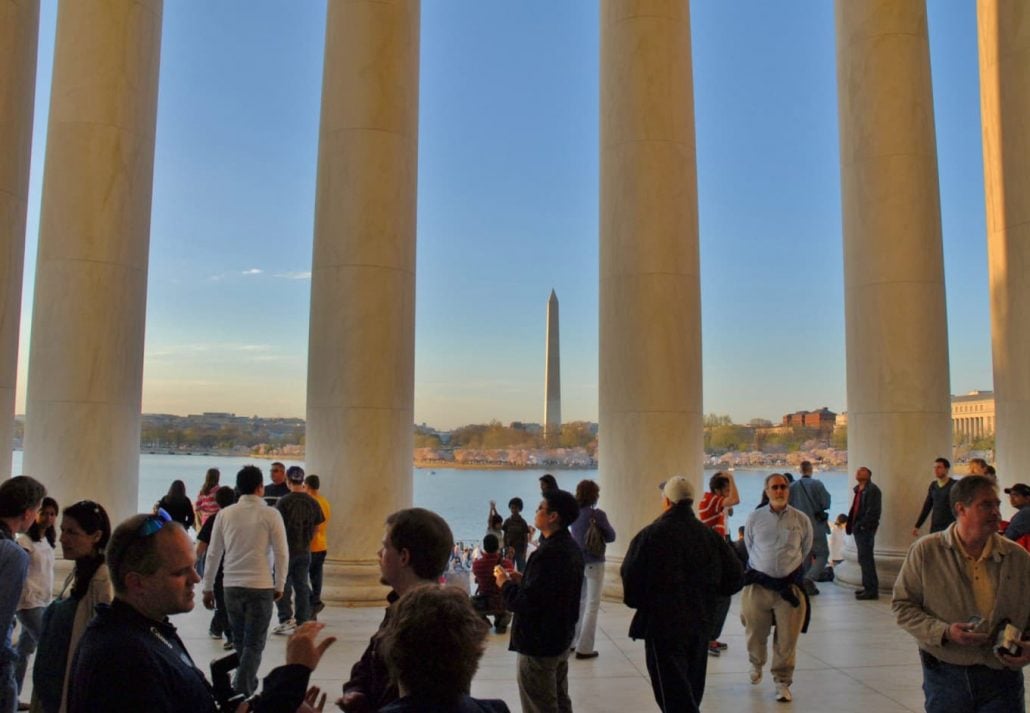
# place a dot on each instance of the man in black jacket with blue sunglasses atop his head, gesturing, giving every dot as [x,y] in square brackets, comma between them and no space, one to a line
[131,658]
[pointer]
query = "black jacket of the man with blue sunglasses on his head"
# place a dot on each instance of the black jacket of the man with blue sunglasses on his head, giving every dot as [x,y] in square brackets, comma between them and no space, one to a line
[126,662]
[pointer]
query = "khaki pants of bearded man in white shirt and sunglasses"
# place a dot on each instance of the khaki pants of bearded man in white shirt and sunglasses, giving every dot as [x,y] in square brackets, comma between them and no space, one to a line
[761,610]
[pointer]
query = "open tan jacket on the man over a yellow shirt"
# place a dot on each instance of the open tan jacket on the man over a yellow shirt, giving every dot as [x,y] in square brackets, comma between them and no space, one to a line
[934,591]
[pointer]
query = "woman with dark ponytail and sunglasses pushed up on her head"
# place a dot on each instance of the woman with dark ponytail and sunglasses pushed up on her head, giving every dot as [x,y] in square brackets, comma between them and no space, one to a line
[85,532]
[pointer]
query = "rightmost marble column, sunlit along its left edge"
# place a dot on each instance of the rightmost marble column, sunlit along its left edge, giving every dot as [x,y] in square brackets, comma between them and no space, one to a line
[1005,104]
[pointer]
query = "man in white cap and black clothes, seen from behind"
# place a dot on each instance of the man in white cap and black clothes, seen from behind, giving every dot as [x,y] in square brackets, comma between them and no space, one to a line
[673,572]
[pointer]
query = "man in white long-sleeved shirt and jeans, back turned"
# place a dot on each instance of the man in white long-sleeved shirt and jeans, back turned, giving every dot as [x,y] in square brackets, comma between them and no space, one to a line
[246,533]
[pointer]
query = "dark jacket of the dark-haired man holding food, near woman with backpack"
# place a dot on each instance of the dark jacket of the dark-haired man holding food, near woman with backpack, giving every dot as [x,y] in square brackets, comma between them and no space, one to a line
[546,604]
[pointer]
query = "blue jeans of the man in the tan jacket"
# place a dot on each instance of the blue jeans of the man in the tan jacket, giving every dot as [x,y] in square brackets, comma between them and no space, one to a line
[952,689]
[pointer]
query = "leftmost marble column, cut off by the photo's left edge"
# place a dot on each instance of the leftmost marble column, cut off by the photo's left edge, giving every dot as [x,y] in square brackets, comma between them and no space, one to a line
[19,38]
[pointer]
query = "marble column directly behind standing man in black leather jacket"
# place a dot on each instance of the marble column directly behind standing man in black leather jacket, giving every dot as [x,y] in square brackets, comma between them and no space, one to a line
[897,331]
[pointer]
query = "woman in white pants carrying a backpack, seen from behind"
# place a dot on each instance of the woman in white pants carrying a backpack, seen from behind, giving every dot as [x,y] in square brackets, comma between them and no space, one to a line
[592,532]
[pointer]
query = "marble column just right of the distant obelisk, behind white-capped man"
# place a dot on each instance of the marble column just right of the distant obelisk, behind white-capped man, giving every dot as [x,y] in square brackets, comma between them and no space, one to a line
[650,338]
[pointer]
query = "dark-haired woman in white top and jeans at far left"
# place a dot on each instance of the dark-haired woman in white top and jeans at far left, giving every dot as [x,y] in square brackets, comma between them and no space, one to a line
[40,541]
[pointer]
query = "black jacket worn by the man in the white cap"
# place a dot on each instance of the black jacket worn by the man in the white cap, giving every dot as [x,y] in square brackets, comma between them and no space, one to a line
[674,570]
